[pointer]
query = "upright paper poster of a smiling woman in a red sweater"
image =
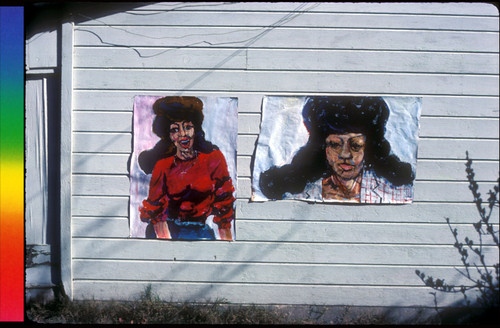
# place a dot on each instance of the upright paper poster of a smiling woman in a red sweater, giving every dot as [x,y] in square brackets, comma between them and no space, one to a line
[183,168]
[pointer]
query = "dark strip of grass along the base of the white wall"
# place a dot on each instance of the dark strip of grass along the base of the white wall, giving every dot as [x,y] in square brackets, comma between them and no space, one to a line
[150,309]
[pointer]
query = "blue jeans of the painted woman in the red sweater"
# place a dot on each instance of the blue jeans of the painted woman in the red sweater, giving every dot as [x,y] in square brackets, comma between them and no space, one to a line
[184,230]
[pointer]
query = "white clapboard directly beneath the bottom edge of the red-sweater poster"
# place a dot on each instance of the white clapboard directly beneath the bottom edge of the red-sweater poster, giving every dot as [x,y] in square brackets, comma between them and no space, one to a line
[268,252]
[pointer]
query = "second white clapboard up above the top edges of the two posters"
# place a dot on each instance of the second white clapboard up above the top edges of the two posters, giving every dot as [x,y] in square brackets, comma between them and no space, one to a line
[296,60]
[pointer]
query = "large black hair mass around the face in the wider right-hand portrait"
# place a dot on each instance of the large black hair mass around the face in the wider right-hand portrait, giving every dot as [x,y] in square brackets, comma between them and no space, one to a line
[324,115]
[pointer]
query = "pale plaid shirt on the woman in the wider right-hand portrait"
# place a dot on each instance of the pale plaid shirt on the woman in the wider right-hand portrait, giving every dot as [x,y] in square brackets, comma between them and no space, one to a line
[374,189]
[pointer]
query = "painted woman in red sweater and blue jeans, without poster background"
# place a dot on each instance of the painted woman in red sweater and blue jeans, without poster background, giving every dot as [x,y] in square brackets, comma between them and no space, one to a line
[191,192]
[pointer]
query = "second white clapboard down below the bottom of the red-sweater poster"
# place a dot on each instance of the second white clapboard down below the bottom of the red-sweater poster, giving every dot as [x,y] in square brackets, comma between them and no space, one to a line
[238,272]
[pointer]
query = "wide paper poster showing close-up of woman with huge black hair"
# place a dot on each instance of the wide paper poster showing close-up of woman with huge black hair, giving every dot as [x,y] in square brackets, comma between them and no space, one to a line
[337,149]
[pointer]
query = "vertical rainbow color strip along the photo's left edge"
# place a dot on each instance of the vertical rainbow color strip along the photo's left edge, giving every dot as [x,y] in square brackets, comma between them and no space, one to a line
[11,163]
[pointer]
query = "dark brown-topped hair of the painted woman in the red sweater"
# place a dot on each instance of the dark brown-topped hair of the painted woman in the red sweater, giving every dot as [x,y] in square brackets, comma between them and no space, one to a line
[169,110]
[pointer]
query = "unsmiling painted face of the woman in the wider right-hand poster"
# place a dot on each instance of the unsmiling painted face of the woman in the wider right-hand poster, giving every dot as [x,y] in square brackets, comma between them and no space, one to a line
[345,154]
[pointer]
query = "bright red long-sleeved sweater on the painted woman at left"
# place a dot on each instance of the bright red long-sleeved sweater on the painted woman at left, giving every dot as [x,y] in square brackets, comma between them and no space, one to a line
[190,190]
